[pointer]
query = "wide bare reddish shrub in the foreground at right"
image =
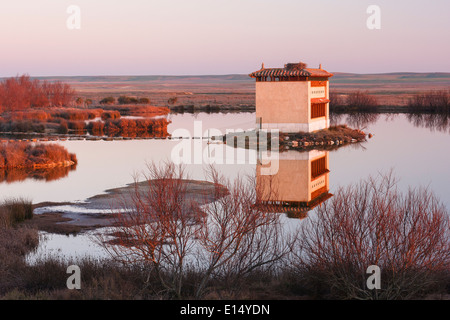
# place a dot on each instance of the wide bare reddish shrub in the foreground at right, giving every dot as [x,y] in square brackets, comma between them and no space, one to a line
[372,223]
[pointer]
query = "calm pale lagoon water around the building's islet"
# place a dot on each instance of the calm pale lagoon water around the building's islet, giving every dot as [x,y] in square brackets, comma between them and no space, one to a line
[418,157]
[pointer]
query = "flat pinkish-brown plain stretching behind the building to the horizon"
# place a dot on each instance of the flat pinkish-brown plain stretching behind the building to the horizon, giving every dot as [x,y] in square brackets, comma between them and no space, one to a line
[238,90]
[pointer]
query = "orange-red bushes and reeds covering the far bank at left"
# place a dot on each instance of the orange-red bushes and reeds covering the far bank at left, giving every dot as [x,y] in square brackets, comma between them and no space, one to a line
[33,106]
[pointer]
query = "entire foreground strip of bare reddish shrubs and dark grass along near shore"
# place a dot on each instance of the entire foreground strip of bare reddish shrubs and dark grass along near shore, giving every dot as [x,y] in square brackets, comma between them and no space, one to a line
[243,252]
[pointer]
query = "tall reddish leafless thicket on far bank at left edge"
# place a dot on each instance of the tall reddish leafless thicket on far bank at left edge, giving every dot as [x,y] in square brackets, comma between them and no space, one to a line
[22,93]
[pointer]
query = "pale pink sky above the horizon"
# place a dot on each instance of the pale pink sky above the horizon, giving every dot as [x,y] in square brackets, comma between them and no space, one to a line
[199,37]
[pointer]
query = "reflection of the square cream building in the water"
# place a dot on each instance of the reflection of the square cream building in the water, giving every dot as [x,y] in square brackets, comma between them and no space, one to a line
[300,184]
